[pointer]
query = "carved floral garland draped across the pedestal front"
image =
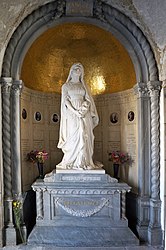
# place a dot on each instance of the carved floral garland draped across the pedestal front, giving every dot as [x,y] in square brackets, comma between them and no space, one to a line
[81,213]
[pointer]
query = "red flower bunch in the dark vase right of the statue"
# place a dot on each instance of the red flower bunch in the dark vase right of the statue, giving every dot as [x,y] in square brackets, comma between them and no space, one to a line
[118,157]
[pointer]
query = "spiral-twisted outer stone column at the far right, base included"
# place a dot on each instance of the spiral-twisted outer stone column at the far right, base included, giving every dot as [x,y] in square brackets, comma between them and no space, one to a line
[154,230]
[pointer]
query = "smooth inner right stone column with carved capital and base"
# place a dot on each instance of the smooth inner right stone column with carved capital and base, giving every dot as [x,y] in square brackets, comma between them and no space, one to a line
[143,105]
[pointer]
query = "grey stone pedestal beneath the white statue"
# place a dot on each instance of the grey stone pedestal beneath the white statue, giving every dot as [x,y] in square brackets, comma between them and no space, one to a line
[81,209]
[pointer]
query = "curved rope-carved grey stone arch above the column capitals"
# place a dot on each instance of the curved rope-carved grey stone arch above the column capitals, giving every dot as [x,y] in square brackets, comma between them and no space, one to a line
[102,15]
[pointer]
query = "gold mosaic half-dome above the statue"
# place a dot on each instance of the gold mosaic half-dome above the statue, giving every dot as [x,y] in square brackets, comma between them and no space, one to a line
[108,67]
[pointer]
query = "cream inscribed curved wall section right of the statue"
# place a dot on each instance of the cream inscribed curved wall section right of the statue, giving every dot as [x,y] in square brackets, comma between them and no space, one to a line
[121,135]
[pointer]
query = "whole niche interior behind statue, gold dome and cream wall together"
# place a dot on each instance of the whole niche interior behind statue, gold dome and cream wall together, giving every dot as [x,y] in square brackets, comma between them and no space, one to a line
[109,73]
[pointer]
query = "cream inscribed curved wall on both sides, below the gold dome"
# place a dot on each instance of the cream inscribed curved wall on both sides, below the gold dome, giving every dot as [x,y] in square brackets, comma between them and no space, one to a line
[108,136]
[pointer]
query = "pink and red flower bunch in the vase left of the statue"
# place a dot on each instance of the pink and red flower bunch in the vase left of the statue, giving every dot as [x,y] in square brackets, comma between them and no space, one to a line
[37,156]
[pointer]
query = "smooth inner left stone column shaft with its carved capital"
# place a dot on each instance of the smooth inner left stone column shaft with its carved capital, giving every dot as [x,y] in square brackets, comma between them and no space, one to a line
[15,135]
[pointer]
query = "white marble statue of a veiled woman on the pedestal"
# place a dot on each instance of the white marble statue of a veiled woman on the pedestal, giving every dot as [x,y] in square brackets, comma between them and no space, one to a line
[78,119]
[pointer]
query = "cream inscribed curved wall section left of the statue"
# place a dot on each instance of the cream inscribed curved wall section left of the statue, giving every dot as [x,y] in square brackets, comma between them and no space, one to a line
[36,134]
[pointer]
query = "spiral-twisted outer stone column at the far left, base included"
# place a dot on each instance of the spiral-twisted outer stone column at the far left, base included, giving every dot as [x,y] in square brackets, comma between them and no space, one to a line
[9,230]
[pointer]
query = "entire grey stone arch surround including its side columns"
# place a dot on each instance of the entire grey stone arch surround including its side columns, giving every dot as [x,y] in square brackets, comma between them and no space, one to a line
[99,13]
